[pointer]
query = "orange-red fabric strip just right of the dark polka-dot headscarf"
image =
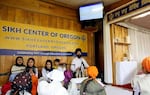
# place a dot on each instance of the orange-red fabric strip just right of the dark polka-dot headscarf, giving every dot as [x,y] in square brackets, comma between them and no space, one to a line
[34,84]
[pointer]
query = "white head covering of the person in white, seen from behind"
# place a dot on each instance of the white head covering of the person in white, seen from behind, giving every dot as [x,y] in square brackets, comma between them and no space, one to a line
[56,75]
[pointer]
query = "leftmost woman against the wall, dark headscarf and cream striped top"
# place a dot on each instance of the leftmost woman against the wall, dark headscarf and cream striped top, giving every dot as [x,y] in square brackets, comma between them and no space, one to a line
[17,68]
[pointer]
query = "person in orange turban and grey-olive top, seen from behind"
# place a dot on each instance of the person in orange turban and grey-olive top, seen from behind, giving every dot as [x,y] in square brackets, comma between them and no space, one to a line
[91,86]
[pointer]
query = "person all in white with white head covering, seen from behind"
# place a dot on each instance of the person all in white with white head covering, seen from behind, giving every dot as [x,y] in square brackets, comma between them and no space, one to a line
[55,87]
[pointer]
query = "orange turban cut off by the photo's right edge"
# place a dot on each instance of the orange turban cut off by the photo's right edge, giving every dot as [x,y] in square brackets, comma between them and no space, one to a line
[146,64]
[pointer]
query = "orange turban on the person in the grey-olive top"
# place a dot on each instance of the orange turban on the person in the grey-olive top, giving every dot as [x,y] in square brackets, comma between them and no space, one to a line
[92,71]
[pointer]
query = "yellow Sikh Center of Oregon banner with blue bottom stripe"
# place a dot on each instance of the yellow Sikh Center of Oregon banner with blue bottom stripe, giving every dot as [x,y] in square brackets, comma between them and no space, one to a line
[25,39]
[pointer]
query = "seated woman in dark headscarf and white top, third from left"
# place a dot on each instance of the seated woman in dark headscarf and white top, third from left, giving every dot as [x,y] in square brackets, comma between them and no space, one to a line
[48,68]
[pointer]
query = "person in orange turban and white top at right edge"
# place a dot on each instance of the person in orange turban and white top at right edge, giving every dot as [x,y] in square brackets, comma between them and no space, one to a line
[141,82]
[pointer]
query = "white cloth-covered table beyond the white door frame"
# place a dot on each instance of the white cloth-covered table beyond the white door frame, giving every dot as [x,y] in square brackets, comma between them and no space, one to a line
[125,71]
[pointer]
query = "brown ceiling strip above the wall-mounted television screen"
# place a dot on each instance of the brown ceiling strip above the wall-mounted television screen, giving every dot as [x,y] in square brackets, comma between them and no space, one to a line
[76,3]
